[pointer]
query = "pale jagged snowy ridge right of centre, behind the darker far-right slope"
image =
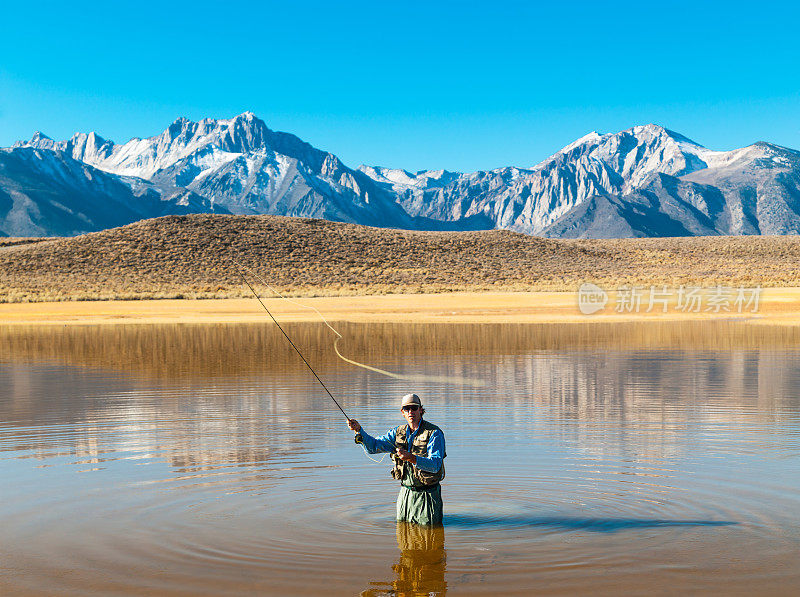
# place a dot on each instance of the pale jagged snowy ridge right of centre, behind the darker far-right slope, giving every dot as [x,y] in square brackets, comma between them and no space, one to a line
[529,200]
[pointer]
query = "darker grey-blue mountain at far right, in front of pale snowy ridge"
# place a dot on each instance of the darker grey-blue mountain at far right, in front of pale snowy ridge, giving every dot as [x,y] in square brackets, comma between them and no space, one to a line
[753,190]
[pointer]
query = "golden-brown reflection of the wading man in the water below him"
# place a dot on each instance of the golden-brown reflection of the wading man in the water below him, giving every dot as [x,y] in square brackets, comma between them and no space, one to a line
[421,567]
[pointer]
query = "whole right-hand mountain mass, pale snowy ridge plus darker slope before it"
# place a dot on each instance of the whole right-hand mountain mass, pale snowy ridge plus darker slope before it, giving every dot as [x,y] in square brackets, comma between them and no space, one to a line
[553,197]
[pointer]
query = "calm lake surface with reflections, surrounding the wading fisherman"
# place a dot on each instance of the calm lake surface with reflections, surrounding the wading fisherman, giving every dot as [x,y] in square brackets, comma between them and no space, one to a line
[205,460]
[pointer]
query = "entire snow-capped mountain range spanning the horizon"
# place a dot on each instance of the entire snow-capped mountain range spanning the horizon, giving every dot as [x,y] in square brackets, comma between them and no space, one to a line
[646,181]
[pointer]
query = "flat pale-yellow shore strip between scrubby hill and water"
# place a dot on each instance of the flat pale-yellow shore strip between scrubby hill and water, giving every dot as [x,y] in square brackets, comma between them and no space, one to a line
[778,306]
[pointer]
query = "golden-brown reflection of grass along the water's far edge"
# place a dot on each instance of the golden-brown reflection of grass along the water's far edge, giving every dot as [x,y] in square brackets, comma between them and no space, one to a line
[229,350]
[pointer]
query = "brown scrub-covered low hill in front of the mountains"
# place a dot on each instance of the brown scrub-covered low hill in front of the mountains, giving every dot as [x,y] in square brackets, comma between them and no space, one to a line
[193,257]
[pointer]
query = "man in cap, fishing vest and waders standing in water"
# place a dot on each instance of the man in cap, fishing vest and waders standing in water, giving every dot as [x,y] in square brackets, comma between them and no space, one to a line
[418,453]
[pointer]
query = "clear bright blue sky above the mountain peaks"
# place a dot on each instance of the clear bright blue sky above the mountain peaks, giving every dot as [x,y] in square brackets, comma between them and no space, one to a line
[415,85]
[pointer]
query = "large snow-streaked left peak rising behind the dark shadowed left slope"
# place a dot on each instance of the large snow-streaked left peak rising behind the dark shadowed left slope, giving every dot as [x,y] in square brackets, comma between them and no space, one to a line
[240,165]
